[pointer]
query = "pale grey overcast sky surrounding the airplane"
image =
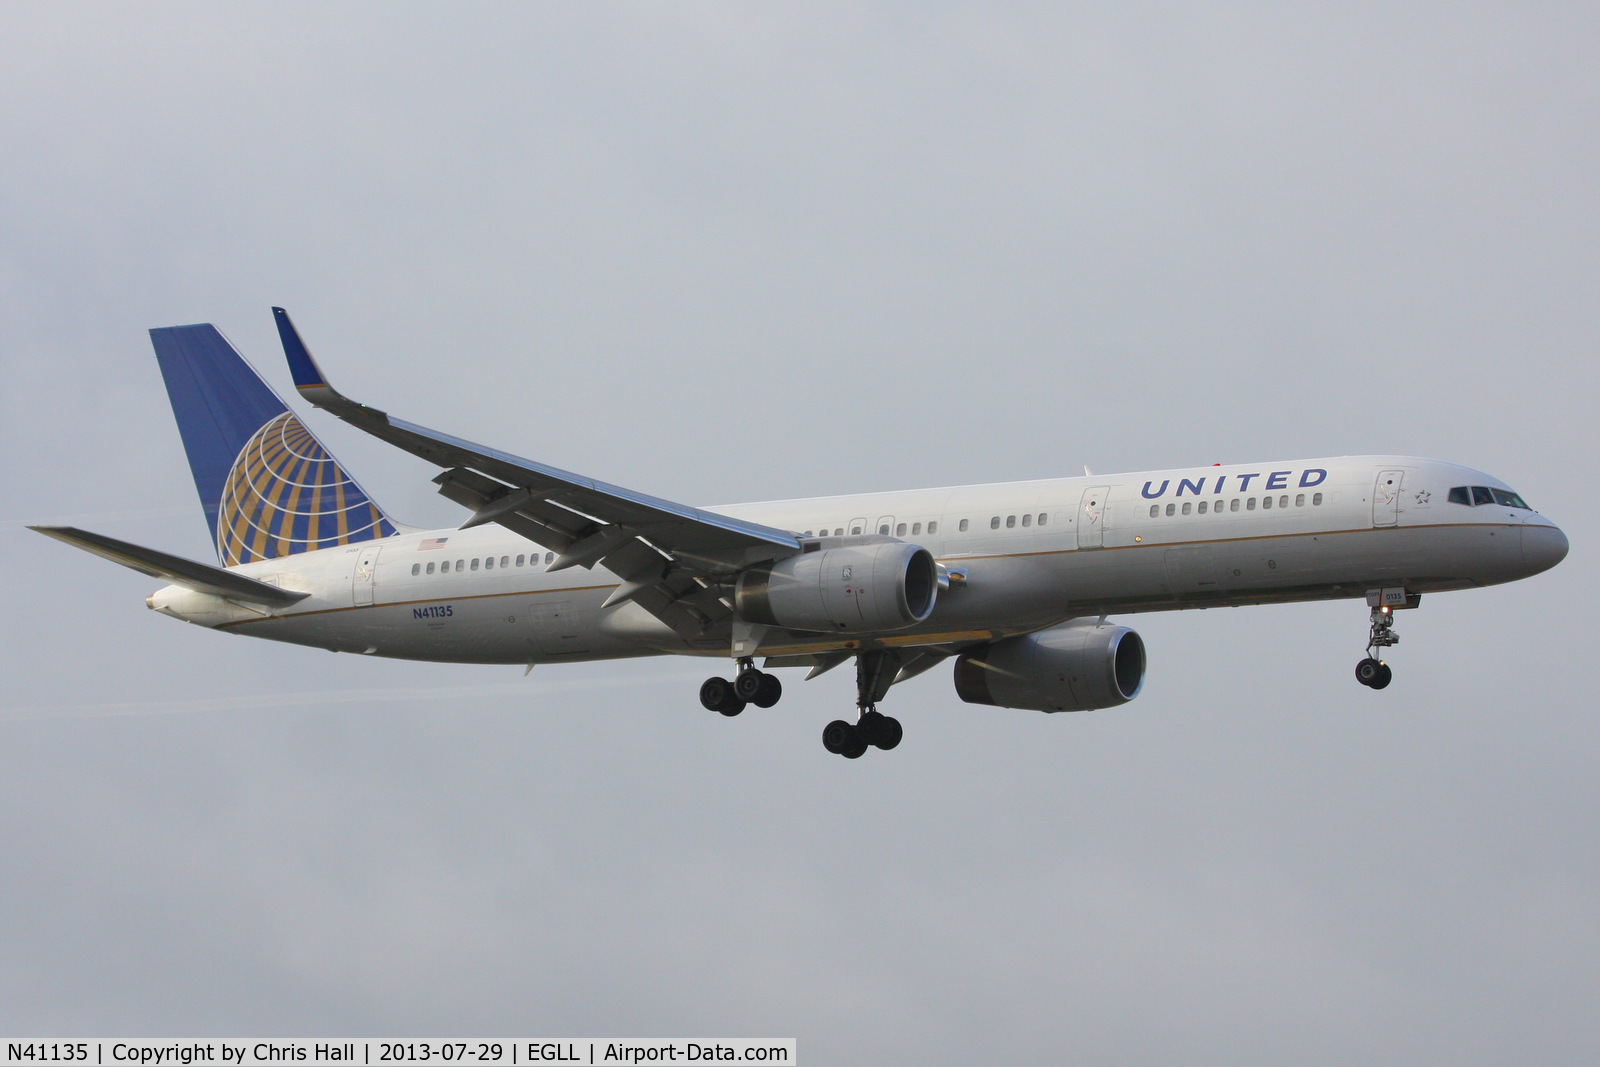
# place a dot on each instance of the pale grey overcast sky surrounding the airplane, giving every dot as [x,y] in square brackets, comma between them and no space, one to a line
[754,252]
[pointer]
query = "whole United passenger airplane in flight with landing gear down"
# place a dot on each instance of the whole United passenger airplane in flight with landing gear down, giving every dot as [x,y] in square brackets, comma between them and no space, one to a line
[1014,581]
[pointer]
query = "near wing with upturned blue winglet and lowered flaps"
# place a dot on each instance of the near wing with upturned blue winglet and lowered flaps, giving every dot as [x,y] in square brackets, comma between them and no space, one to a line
[673,557]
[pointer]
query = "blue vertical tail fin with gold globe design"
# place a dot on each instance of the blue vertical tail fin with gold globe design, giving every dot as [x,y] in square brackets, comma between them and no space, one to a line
[270,489]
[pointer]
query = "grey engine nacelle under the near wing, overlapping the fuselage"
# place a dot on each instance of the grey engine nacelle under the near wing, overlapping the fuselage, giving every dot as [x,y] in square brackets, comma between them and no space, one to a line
[858,589]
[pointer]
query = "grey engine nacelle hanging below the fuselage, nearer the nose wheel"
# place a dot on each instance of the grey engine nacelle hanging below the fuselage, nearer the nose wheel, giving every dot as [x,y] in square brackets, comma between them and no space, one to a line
[1074,668]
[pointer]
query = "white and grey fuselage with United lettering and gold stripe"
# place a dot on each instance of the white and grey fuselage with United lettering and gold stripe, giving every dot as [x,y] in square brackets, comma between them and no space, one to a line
[1025,556]
